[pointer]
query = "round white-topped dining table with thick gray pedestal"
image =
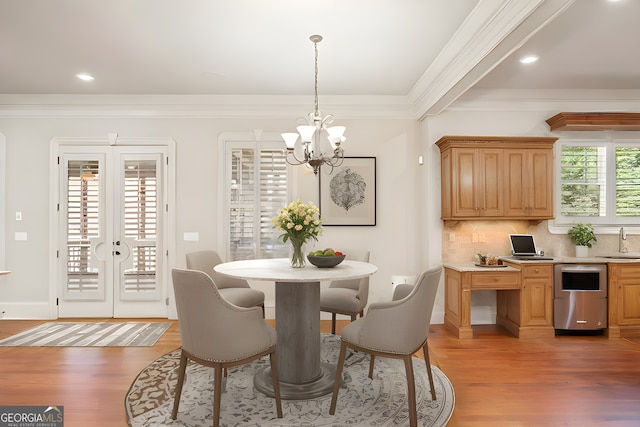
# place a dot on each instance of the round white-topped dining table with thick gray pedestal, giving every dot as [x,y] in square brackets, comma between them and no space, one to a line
[302,375]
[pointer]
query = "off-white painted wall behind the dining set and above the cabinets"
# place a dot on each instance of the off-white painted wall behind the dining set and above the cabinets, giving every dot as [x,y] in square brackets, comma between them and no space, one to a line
[406,240]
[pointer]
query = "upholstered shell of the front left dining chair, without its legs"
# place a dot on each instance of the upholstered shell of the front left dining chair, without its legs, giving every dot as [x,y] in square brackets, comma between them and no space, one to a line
[206,320]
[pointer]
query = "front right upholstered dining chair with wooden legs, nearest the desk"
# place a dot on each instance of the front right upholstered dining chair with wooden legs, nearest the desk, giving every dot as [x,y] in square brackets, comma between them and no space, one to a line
[395,329]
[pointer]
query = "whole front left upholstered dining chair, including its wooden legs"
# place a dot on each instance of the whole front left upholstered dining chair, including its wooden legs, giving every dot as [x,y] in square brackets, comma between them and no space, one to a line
[218,334]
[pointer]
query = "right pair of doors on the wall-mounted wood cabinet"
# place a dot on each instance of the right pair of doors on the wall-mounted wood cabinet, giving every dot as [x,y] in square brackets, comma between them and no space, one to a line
[529,183]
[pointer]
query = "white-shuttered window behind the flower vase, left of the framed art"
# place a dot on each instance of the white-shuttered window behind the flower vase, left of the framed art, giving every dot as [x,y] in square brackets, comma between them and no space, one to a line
[256,182]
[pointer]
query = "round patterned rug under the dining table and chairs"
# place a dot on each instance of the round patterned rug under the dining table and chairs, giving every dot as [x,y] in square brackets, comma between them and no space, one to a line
[361,402]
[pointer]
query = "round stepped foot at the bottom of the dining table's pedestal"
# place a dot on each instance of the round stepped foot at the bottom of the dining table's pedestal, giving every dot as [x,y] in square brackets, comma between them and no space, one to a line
[298,391]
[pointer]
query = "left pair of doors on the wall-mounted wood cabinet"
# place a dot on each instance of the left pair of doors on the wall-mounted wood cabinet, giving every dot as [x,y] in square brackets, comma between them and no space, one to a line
[477,182]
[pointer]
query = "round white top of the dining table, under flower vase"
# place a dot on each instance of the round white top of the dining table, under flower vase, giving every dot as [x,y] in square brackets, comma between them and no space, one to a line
[280,270]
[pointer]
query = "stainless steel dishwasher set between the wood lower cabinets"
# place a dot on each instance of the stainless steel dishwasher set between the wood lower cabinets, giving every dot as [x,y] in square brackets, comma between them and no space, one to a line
[580,297]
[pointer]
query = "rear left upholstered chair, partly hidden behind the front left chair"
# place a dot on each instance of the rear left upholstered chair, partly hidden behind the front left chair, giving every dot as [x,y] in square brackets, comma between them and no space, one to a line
[236,291]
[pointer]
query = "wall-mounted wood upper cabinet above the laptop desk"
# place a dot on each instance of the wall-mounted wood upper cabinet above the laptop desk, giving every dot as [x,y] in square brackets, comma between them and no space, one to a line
[486,177]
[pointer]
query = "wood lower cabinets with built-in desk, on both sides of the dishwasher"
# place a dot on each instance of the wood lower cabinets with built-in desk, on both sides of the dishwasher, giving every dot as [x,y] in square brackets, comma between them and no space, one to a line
[524,299]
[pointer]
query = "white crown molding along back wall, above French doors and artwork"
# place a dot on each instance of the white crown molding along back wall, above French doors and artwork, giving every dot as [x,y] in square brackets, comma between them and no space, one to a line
[201,106]
